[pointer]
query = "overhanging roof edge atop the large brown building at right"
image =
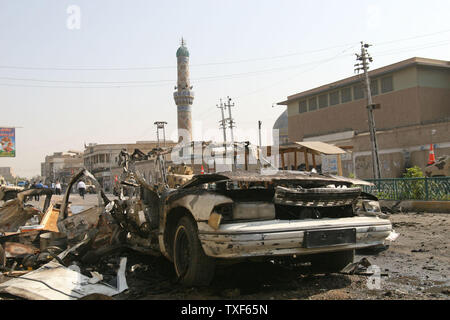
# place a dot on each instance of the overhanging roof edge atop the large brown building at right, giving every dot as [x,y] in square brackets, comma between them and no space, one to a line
[376,72]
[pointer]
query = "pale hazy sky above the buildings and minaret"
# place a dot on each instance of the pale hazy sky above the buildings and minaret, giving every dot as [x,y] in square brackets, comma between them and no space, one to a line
[107,77]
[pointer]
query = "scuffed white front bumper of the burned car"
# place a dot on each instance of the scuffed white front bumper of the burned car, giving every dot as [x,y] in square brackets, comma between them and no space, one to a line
[282,238]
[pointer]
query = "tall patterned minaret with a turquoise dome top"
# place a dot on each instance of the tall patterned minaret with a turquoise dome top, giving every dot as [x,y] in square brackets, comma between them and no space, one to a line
[183,96]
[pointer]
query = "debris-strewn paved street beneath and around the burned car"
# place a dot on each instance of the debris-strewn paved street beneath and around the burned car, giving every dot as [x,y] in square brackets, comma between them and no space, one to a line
[416,266]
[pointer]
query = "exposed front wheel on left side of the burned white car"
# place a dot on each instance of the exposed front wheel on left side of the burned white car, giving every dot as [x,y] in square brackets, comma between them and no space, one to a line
[192,266]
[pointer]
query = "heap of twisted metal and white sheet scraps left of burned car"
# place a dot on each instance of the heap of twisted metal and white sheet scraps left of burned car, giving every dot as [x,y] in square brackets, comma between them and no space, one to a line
[51,253]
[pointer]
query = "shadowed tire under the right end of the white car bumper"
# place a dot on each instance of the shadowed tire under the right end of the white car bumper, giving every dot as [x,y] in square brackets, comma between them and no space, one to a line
[332,261]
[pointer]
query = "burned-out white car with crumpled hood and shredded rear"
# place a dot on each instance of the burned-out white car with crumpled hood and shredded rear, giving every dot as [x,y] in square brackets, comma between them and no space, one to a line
[225,217]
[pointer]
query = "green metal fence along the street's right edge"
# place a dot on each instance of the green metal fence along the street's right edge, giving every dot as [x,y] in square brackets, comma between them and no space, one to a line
[435,188]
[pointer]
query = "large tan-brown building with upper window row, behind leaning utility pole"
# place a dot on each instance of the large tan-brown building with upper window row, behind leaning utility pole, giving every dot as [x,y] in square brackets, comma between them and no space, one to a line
[414,96]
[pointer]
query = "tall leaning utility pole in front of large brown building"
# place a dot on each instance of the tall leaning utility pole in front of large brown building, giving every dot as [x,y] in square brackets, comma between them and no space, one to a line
[364,58]
